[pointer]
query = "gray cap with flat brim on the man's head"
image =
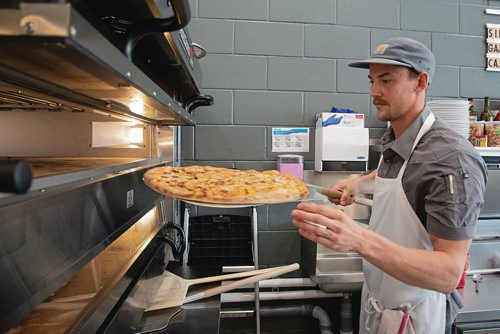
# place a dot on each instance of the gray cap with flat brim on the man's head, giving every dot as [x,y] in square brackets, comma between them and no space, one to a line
[402,51]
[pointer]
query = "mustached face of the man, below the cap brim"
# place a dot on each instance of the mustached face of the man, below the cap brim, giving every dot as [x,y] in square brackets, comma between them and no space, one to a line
[393,91]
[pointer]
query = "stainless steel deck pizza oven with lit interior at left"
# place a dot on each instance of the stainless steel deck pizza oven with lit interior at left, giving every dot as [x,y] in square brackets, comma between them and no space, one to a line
[92,95]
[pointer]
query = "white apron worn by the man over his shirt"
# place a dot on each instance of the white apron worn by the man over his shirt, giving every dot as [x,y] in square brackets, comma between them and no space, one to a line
[393,217]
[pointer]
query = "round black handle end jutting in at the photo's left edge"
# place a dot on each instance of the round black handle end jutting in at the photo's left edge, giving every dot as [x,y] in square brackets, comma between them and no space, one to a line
[15,176]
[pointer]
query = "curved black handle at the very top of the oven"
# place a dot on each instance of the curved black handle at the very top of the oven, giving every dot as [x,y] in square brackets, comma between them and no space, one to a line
[139,30]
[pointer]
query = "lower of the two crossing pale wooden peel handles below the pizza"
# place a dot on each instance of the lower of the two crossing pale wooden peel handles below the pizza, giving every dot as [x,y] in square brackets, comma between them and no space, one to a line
[249,280]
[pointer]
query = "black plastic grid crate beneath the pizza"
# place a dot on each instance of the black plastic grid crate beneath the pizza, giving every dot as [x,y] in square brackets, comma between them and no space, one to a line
[220,240]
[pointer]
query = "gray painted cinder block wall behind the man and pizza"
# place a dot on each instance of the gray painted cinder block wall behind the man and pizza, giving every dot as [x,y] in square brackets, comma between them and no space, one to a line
[280,62]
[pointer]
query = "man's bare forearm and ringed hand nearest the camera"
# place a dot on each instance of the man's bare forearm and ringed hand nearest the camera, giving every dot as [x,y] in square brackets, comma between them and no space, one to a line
[437,269]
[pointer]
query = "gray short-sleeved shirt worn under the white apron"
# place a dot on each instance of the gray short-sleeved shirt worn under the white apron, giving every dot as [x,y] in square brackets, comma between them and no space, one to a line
[441,153]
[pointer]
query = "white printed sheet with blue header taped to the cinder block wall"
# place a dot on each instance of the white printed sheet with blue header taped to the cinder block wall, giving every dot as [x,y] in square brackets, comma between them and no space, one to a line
[290,140]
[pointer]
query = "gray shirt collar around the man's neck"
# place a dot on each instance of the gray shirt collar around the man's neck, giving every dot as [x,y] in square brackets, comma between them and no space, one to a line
[403,145]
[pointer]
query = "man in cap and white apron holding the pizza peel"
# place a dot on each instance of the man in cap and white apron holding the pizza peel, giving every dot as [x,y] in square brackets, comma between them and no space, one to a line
[427,194]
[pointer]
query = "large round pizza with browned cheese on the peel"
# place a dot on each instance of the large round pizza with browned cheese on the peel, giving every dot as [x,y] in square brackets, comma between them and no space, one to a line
[217,185]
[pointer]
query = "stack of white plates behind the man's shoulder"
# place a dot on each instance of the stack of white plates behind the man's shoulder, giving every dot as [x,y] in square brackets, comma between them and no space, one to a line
[455,113]
